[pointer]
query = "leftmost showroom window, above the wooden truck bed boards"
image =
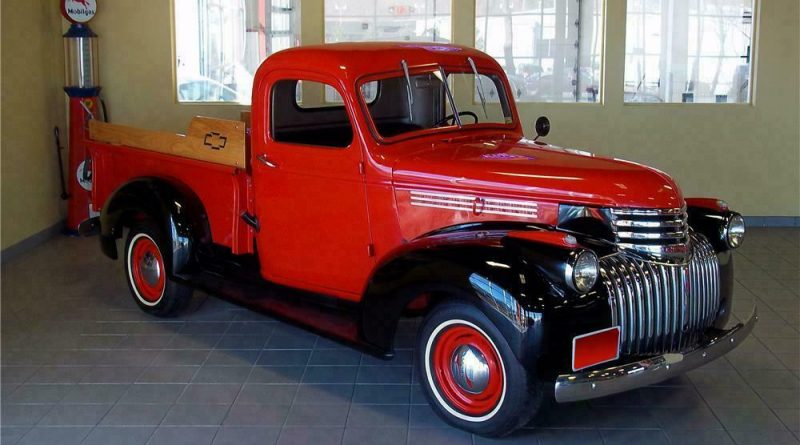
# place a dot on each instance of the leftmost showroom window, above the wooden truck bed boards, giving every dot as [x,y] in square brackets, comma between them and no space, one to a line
[219,45]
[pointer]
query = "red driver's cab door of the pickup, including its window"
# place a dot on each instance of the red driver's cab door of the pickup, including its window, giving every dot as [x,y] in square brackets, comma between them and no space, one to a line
[309,191]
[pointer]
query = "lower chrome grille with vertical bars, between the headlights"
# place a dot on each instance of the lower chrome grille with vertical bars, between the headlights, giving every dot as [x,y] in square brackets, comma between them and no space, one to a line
[662,307]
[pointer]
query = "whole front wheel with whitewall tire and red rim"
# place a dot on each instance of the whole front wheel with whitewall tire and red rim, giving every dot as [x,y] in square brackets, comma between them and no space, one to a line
[470,375]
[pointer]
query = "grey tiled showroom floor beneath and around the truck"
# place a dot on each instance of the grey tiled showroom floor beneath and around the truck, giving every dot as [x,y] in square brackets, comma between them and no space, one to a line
[81,364]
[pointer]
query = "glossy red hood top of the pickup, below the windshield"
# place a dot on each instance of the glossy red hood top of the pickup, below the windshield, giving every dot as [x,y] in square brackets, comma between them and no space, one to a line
[522,168]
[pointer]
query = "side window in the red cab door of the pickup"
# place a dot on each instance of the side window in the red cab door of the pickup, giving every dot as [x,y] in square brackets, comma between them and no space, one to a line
[300,114]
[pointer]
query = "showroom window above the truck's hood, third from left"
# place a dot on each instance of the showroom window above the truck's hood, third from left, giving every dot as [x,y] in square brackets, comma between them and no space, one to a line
[551,50]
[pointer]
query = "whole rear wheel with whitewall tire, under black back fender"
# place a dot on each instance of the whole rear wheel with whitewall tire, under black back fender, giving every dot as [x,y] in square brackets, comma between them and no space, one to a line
[146,273]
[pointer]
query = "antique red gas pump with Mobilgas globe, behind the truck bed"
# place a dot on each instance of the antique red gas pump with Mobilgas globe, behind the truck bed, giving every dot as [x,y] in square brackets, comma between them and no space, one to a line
[82,87]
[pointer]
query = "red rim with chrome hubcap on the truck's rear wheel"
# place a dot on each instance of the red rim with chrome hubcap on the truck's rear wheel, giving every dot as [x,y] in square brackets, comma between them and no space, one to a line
[147,269]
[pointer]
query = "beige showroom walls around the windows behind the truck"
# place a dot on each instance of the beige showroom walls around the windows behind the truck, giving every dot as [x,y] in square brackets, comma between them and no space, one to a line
[746,154]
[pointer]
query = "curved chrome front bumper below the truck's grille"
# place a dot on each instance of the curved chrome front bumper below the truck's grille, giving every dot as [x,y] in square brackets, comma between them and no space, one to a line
[603,382]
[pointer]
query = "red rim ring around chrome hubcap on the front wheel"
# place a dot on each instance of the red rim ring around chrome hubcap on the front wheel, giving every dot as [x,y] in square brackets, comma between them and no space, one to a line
[471,403]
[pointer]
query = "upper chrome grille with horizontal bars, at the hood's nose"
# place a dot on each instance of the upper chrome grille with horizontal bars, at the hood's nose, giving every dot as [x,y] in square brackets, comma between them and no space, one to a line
[660,233]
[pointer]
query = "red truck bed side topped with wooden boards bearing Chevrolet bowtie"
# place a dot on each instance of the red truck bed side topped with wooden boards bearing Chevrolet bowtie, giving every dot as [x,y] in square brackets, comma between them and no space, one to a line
[217,176]
